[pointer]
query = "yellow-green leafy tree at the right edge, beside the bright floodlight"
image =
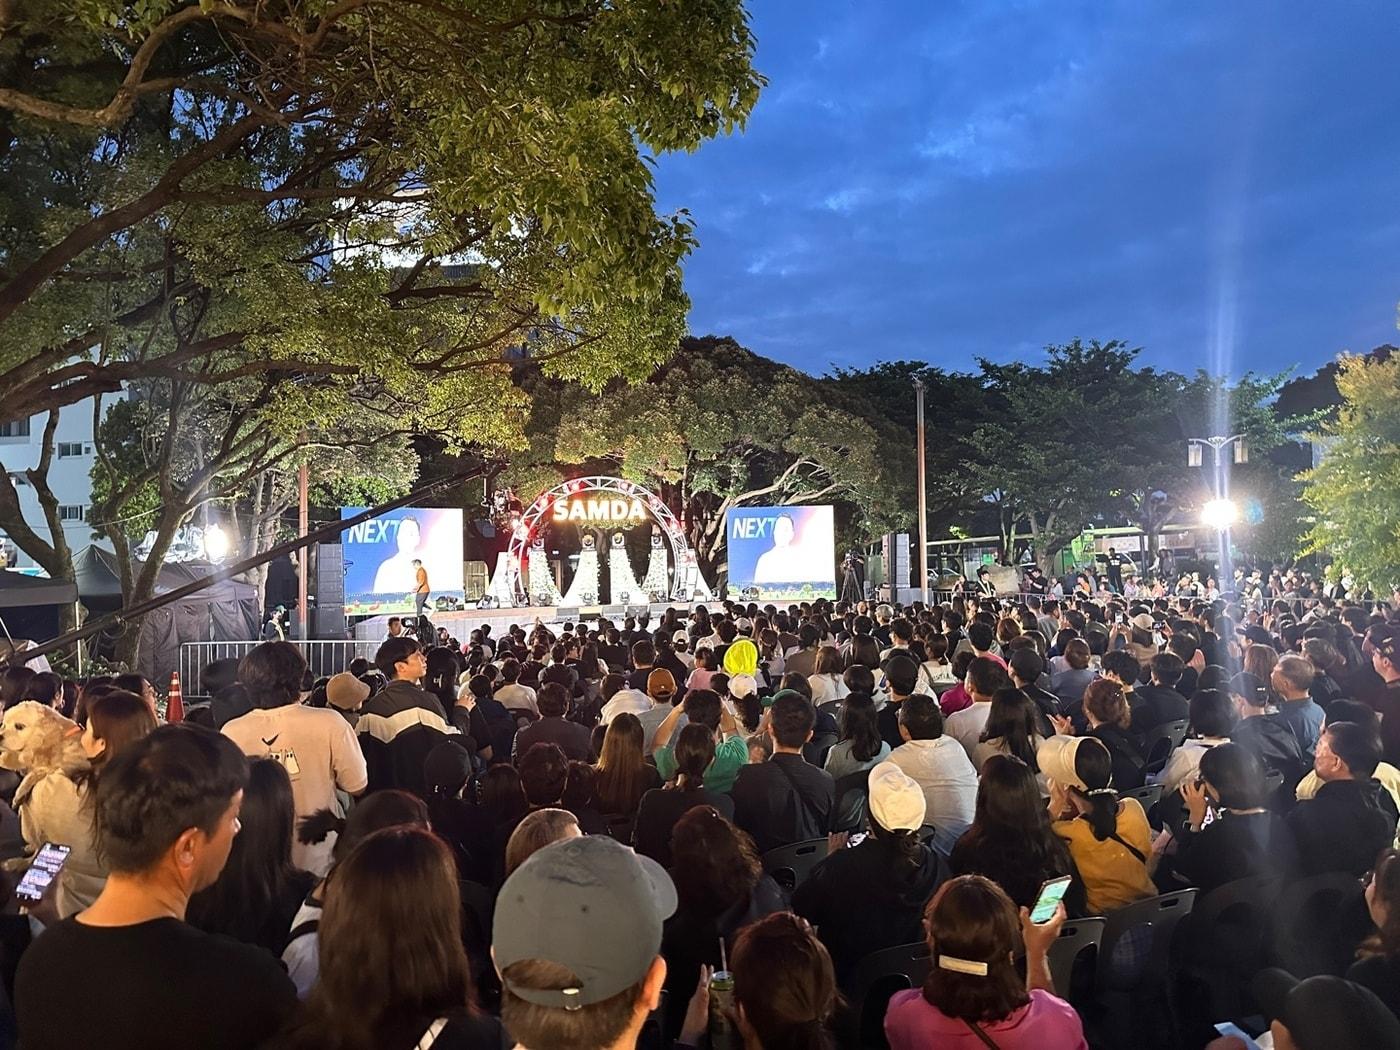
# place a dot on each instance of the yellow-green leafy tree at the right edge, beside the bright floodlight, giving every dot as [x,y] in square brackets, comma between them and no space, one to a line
[1356,489]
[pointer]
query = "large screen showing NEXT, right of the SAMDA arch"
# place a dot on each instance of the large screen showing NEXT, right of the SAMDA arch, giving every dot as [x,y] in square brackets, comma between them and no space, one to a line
[782,554]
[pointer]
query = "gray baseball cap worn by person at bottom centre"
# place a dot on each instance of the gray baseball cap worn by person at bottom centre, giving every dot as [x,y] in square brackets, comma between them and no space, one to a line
[589,905]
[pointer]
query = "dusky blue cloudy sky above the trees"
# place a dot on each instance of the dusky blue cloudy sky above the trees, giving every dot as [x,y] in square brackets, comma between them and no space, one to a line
[1216,181]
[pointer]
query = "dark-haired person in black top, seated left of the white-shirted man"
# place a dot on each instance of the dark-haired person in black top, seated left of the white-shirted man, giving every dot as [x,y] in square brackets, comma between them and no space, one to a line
[786,800]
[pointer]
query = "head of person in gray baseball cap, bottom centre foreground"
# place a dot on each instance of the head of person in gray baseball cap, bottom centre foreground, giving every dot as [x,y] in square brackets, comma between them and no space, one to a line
[577,941]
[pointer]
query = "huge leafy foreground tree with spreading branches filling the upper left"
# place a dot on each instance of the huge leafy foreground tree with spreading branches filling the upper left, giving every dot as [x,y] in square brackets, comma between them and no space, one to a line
[314,208]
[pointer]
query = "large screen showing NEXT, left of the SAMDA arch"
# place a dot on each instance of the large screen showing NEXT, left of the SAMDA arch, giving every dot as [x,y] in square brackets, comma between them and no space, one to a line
[381,576]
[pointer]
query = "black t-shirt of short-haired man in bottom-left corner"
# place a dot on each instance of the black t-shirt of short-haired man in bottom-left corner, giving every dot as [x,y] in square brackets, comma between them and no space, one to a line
[149,986]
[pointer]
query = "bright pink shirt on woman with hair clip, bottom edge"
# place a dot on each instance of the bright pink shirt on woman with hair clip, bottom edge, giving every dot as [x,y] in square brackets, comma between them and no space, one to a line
[1044,1024]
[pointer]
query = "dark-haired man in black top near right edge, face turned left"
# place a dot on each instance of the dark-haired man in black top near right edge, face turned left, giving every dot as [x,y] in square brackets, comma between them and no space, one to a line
[1353,817]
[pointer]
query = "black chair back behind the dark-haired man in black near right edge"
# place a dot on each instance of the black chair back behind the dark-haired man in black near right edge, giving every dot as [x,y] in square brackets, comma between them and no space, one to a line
[1318,923]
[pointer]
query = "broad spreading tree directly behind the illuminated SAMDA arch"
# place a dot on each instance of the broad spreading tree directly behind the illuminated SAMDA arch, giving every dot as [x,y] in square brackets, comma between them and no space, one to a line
[717,428]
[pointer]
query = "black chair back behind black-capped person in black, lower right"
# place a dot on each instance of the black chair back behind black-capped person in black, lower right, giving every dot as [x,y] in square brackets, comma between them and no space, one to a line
[1220,948]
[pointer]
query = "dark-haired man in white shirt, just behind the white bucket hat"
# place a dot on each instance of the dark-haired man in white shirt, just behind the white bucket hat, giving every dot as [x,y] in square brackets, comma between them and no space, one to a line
[941,769]
